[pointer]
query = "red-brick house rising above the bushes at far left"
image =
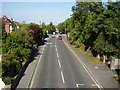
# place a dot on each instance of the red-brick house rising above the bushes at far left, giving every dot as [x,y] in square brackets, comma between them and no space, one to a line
[9,24]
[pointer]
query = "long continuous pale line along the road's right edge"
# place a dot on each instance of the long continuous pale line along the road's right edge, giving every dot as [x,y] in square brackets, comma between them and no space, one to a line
[86,69]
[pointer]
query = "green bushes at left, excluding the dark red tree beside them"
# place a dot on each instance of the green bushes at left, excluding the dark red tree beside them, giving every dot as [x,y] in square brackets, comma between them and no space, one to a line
[16,49]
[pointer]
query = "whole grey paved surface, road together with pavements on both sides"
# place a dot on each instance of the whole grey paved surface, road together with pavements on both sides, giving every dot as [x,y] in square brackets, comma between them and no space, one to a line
[59,65]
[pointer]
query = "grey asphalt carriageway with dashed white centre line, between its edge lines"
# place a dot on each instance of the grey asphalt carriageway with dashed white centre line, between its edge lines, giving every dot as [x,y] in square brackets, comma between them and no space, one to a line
[59,68]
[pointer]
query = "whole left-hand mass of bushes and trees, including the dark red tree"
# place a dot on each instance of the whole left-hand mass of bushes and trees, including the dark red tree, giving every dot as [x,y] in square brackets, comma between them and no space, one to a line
[17,47]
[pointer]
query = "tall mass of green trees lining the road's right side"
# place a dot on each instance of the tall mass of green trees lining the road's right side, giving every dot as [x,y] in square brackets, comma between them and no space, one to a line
[96,26]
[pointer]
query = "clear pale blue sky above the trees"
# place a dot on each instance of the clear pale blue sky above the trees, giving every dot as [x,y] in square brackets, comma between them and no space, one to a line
[37,11]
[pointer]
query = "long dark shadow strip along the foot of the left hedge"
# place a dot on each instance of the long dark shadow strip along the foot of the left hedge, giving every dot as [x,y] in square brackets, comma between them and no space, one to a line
[35,52]
